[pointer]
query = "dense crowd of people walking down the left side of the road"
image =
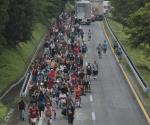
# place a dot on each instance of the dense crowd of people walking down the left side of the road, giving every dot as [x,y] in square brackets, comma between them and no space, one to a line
[59,77]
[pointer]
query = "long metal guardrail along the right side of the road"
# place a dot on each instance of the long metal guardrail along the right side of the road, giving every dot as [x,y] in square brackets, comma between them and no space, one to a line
[135,71]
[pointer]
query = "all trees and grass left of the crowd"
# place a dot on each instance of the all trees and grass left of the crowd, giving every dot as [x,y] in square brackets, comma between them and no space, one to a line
[22,25]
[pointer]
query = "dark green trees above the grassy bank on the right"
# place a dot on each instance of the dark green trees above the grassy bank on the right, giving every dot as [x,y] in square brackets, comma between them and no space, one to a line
[135,14]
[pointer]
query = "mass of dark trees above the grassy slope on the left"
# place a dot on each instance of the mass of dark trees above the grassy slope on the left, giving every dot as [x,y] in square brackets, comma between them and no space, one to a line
[17,18]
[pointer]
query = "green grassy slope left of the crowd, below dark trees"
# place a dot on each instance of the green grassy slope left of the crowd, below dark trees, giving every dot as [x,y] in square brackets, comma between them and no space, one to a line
[13,61]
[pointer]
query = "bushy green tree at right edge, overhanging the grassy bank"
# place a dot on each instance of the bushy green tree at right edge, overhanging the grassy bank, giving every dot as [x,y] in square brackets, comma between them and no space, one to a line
[139,26]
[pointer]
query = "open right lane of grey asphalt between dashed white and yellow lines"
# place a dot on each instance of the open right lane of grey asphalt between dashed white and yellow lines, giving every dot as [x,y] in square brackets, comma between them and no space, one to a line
[113,102]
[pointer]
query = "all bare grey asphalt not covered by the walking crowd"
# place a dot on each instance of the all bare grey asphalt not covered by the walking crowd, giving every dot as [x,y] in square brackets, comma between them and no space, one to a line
[111,101]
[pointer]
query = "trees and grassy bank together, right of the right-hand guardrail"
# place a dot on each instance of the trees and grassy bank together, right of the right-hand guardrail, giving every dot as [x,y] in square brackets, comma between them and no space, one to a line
[130,20]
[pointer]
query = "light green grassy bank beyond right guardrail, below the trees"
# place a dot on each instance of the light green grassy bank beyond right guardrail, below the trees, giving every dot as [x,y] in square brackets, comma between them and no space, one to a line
[138,55]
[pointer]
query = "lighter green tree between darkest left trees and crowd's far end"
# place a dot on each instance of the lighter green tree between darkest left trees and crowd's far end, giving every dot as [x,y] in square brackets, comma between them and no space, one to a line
[45,10]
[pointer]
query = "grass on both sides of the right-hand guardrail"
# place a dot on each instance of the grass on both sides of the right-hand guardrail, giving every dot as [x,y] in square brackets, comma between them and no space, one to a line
[137,55]
